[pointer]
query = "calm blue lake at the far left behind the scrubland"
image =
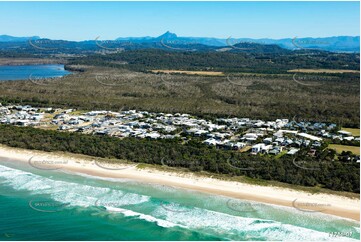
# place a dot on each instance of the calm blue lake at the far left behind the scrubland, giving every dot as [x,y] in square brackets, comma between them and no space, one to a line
[26,72]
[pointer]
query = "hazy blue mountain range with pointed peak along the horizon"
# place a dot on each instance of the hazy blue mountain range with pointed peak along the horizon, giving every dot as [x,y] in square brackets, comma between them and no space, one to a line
[172,41]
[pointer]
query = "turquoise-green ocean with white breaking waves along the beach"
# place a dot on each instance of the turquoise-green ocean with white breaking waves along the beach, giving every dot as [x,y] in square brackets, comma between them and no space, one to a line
[56,205]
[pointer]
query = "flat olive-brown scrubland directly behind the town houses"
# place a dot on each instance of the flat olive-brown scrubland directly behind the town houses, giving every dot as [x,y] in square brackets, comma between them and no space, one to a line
[263,96]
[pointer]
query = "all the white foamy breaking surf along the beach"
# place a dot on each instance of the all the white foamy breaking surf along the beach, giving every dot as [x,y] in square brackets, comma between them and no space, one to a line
[218,223]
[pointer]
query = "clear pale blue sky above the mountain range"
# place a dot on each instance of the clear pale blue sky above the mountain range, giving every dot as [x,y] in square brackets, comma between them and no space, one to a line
[109,20]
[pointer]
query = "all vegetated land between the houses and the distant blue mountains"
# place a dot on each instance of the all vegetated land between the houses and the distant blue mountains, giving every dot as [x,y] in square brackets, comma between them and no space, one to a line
[255,83]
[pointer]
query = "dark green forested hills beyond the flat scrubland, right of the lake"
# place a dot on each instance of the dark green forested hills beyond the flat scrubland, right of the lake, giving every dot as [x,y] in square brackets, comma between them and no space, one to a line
[230,61]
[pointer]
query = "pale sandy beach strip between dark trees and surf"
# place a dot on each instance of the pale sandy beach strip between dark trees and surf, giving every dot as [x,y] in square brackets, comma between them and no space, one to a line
[303,201]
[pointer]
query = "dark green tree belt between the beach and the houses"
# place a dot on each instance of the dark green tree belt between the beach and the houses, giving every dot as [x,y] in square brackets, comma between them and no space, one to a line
[322,171]
